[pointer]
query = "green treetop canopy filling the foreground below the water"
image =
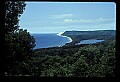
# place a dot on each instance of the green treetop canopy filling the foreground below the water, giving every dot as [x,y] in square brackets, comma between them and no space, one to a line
[82,61]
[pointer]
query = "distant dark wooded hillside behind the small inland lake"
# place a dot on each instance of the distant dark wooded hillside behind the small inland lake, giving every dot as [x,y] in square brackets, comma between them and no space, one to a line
[77,36]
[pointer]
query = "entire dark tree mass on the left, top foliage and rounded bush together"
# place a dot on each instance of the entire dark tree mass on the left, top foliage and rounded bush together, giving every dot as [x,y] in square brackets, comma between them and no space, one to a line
[19,43]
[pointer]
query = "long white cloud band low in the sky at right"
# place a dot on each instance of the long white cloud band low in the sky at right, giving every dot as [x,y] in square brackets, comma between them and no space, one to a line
[87,20]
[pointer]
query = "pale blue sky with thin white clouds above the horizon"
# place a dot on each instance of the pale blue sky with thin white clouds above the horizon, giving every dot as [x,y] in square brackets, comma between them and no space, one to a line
[55,17]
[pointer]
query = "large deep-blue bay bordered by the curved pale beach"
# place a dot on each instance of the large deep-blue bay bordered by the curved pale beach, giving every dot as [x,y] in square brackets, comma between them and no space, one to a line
[49,40]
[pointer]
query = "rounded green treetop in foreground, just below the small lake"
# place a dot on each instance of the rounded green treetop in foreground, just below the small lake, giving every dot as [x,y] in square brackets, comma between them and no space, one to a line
[91,53]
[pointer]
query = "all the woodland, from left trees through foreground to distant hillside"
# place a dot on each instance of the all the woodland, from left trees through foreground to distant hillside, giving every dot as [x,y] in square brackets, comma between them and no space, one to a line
[86,60]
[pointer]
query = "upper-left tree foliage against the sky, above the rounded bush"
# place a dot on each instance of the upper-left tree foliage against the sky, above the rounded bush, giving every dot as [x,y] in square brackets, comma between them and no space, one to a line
[13,10]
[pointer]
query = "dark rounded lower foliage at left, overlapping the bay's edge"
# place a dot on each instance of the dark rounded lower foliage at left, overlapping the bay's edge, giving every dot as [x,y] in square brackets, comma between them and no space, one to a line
[19,47]
